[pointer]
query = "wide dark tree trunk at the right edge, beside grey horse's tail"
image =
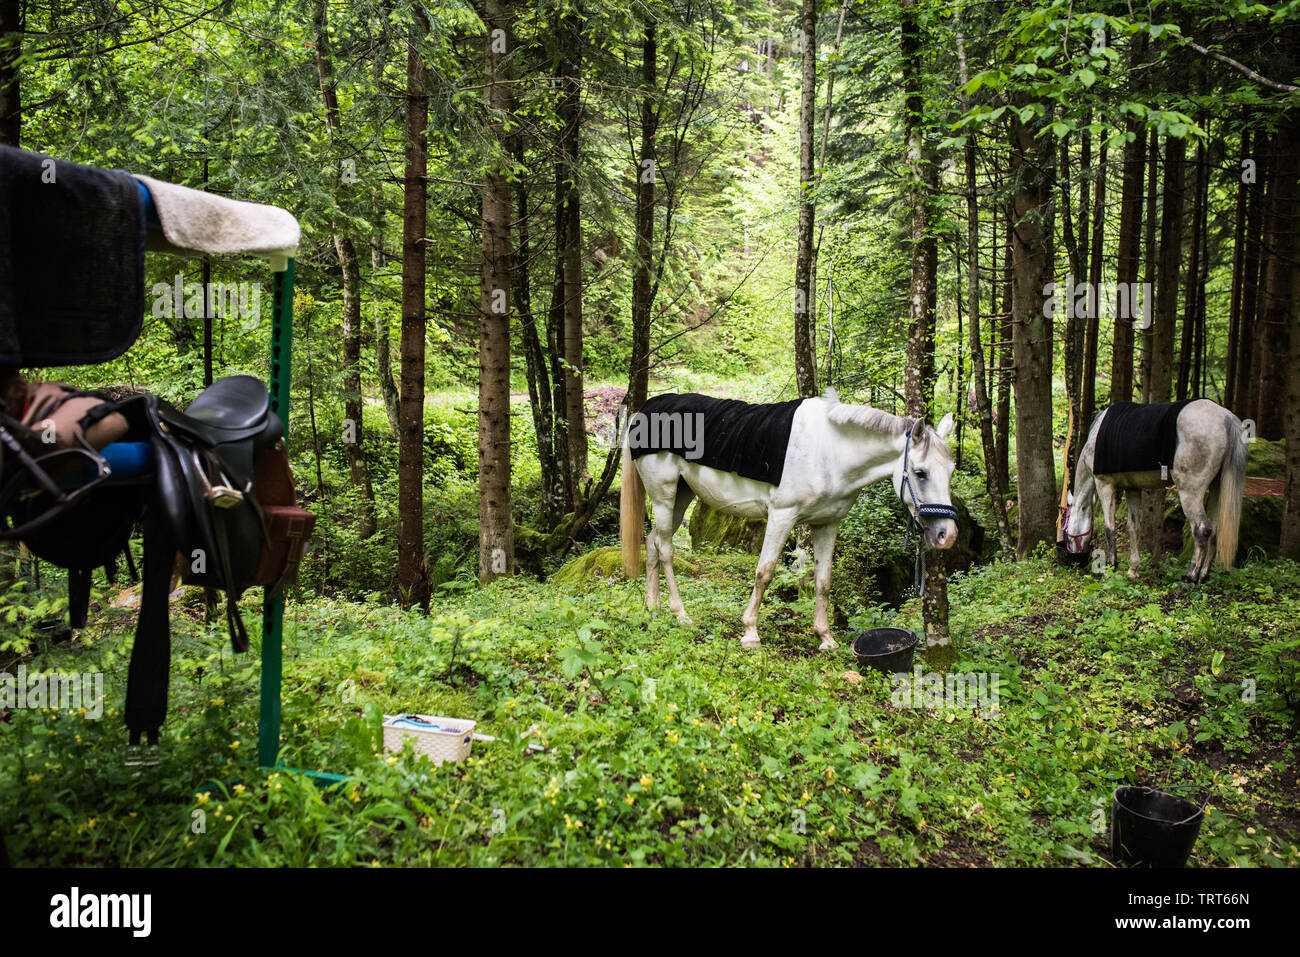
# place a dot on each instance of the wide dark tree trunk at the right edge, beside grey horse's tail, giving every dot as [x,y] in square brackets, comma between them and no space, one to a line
[1277,304]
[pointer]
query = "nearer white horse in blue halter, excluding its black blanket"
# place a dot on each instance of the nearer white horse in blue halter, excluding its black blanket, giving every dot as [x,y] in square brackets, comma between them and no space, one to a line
[835,452]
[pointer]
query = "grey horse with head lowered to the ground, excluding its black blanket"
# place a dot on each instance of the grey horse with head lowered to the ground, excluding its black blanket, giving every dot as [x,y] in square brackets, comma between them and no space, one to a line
[1210,457]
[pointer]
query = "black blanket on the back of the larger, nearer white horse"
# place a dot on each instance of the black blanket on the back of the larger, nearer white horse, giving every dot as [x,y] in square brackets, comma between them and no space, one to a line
[727,435]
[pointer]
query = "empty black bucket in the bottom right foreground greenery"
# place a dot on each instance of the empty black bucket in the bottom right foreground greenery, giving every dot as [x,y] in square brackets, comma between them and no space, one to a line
[1152,829]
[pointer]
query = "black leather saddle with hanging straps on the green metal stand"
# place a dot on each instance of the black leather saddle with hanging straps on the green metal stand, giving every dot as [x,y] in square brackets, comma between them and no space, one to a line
[198,501]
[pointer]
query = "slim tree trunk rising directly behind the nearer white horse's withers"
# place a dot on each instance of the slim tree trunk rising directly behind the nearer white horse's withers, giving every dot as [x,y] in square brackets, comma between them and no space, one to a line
[805,357]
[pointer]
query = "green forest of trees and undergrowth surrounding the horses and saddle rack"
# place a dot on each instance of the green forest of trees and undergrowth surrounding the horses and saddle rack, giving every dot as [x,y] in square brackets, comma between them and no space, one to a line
[519,224]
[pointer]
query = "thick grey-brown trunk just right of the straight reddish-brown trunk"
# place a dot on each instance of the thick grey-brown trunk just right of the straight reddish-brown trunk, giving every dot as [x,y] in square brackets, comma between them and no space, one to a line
[496,521]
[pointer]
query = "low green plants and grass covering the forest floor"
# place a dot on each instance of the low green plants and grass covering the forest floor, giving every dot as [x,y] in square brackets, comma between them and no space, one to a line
[671,746]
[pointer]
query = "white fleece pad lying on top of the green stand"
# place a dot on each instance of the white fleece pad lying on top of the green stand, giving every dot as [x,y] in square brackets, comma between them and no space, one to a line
[197,222]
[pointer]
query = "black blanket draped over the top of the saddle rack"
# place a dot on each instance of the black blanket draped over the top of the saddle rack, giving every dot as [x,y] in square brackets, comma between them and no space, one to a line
[72,262]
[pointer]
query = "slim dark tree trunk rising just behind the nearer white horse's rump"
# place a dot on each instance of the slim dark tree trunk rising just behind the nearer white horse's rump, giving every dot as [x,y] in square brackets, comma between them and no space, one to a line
[643,279]
